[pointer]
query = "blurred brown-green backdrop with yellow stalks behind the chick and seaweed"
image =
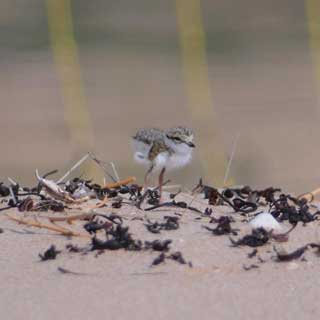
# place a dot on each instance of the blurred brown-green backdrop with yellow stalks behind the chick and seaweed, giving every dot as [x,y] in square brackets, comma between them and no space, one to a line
[82,75]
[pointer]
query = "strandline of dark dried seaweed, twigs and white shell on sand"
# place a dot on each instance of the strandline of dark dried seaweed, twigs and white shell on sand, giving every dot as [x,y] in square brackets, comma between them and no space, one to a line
[106,231]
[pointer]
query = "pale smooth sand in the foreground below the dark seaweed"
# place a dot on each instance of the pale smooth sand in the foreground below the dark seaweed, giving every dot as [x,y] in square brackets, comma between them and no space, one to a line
[121,285]
